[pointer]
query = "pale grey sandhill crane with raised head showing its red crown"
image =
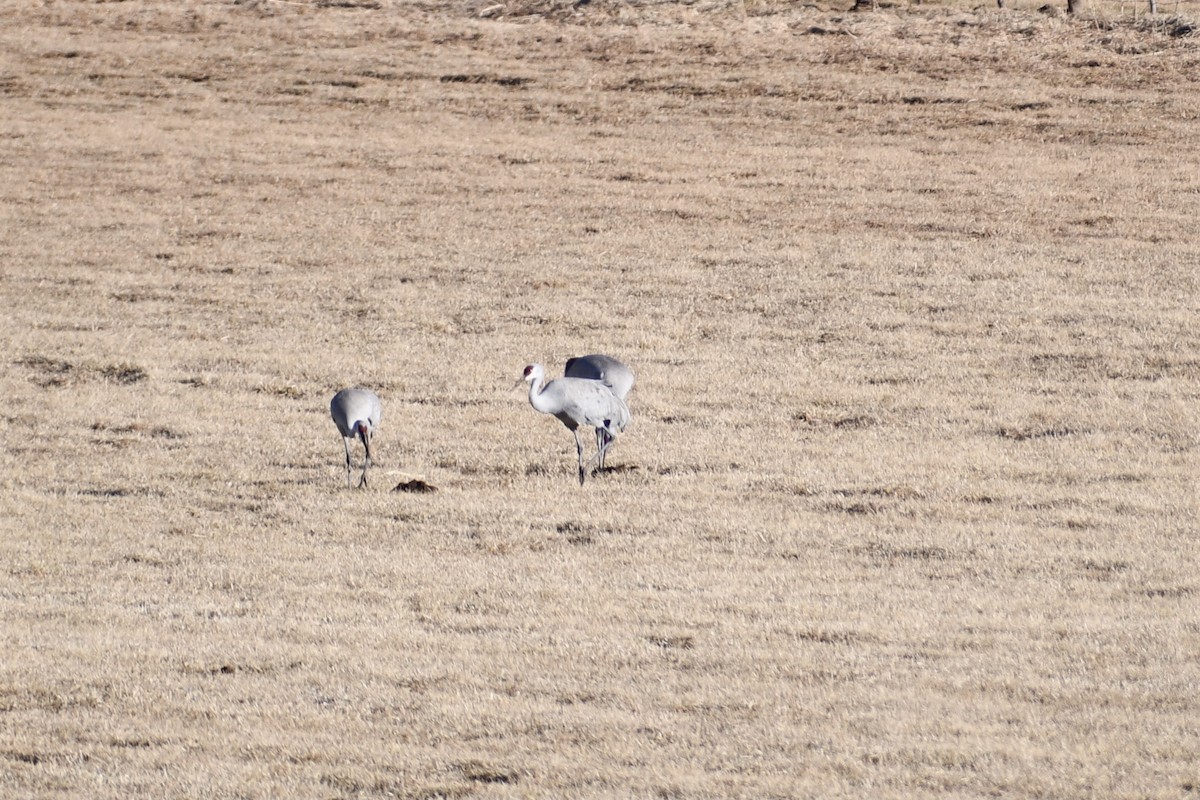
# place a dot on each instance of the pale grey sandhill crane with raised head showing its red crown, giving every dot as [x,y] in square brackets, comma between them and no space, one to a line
[575,402]
